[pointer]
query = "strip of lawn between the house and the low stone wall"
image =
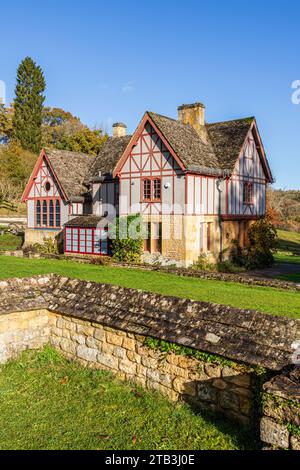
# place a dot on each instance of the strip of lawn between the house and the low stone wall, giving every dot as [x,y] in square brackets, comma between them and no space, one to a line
[269,300]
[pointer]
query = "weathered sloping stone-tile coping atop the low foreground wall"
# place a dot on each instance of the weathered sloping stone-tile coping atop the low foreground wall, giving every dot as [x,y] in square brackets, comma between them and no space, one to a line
[241,335]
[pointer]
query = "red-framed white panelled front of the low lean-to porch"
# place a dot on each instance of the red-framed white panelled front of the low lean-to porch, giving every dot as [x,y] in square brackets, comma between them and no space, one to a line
[86,241]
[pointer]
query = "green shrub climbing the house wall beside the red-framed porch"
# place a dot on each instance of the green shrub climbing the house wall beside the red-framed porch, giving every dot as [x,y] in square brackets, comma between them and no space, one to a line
[127,239]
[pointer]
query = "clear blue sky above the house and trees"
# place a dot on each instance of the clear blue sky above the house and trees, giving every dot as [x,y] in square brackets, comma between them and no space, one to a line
[108,61]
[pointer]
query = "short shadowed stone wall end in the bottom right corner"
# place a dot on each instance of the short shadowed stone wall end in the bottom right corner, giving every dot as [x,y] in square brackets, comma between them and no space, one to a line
[280,425]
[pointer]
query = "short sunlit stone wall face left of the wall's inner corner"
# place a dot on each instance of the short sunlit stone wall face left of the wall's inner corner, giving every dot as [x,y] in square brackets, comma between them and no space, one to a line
[22,330]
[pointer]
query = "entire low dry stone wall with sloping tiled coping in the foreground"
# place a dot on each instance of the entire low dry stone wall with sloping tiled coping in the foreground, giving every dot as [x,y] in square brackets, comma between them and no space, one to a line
[107,327]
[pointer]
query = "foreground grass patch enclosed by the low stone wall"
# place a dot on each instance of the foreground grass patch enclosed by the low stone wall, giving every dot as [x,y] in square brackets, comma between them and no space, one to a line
[50,403]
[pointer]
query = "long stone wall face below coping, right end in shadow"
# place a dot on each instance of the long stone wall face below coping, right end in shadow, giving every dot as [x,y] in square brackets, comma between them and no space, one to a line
[204,385]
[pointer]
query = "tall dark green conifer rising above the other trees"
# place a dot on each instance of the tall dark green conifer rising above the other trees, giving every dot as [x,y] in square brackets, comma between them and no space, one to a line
[28,105]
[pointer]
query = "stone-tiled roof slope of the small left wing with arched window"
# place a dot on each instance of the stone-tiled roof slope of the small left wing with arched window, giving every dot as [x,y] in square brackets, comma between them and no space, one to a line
[71,169]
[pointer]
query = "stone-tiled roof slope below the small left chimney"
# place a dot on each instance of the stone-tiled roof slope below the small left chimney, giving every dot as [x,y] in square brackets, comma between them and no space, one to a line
[110,153]
